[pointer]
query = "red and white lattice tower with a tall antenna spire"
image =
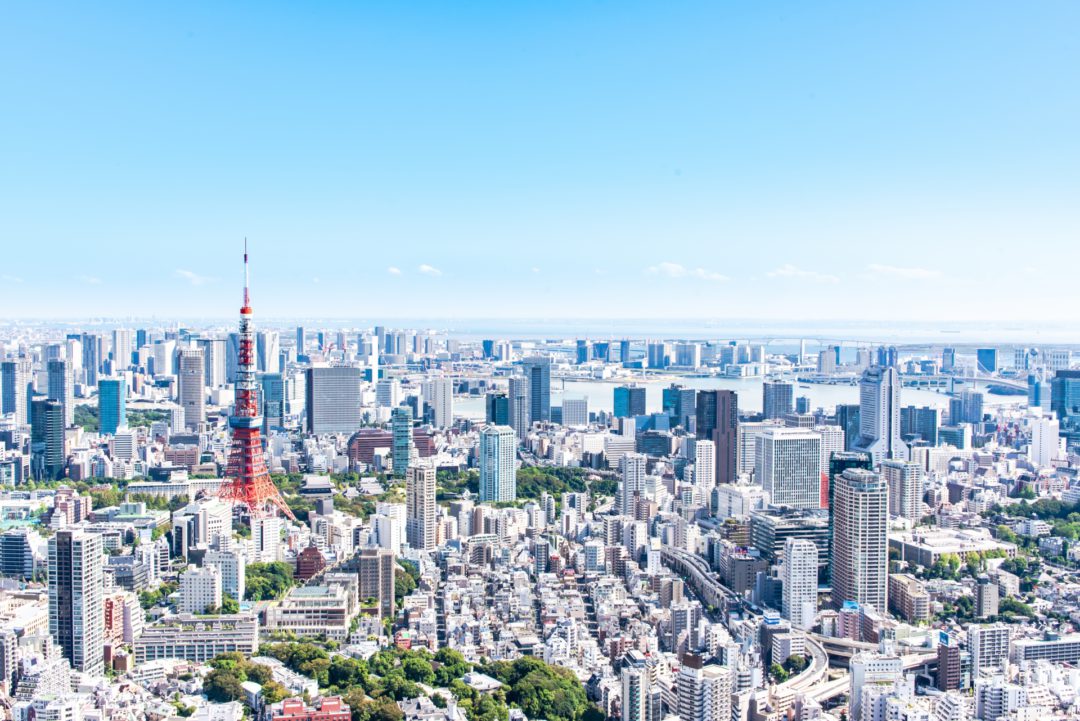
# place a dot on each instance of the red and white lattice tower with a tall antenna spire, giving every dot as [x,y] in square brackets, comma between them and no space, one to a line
[249,482]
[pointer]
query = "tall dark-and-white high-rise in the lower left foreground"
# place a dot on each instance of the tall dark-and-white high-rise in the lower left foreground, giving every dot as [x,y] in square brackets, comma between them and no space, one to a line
[76,600]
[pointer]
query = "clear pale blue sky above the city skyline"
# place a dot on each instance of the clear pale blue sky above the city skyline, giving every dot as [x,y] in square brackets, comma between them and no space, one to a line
[590,159]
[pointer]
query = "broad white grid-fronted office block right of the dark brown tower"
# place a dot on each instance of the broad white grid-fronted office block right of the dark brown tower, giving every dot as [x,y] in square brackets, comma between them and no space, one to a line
[789,467]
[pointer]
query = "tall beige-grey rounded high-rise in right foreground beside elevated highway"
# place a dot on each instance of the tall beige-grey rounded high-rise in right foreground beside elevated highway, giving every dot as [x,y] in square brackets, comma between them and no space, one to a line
[860,516]
